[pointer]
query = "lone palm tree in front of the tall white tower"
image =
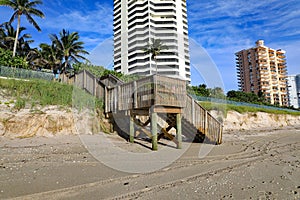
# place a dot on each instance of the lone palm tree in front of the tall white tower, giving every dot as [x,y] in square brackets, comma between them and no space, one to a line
[155,49]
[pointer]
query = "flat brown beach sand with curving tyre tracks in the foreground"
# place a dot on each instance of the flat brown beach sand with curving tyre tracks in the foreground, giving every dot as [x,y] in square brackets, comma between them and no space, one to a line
[248,165]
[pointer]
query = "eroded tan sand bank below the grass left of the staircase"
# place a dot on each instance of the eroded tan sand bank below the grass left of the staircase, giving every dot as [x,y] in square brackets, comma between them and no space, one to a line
[48,122]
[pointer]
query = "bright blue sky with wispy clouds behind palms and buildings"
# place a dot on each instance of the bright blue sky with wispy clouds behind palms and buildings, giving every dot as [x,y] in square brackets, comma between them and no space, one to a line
[219,27]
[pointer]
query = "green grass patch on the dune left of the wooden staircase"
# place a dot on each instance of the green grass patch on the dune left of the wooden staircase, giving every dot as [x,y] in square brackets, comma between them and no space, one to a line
[41,92]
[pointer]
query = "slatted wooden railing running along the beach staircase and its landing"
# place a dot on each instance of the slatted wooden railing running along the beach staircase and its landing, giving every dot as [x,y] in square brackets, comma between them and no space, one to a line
[151,91]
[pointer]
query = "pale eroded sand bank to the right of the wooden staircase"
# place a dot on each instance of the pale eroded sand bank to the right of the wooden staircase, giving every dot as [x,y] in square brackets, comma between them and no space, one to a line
[256,121]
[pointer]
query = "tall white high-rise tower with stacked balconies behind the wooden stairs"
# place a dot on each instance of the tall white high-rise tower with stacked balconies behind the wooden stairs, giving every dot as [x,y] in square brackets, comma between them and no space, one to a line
[137,22]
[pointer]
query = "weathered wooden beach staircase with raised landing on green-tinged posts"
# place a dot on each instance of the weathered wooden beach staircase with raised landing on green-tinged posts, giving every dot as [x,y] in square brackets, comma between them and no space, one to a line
[158,98]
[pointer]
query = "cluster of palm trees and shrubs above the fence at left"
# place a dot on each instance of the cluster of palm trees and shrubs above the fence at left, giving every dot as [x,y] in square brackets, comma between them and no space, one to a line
[15,50]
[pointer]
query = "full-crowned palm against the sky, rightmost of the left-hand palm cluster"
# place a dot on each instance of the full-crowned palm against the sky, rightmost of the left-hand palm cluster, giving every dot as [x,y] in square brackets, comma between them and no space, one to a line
[69,47]
